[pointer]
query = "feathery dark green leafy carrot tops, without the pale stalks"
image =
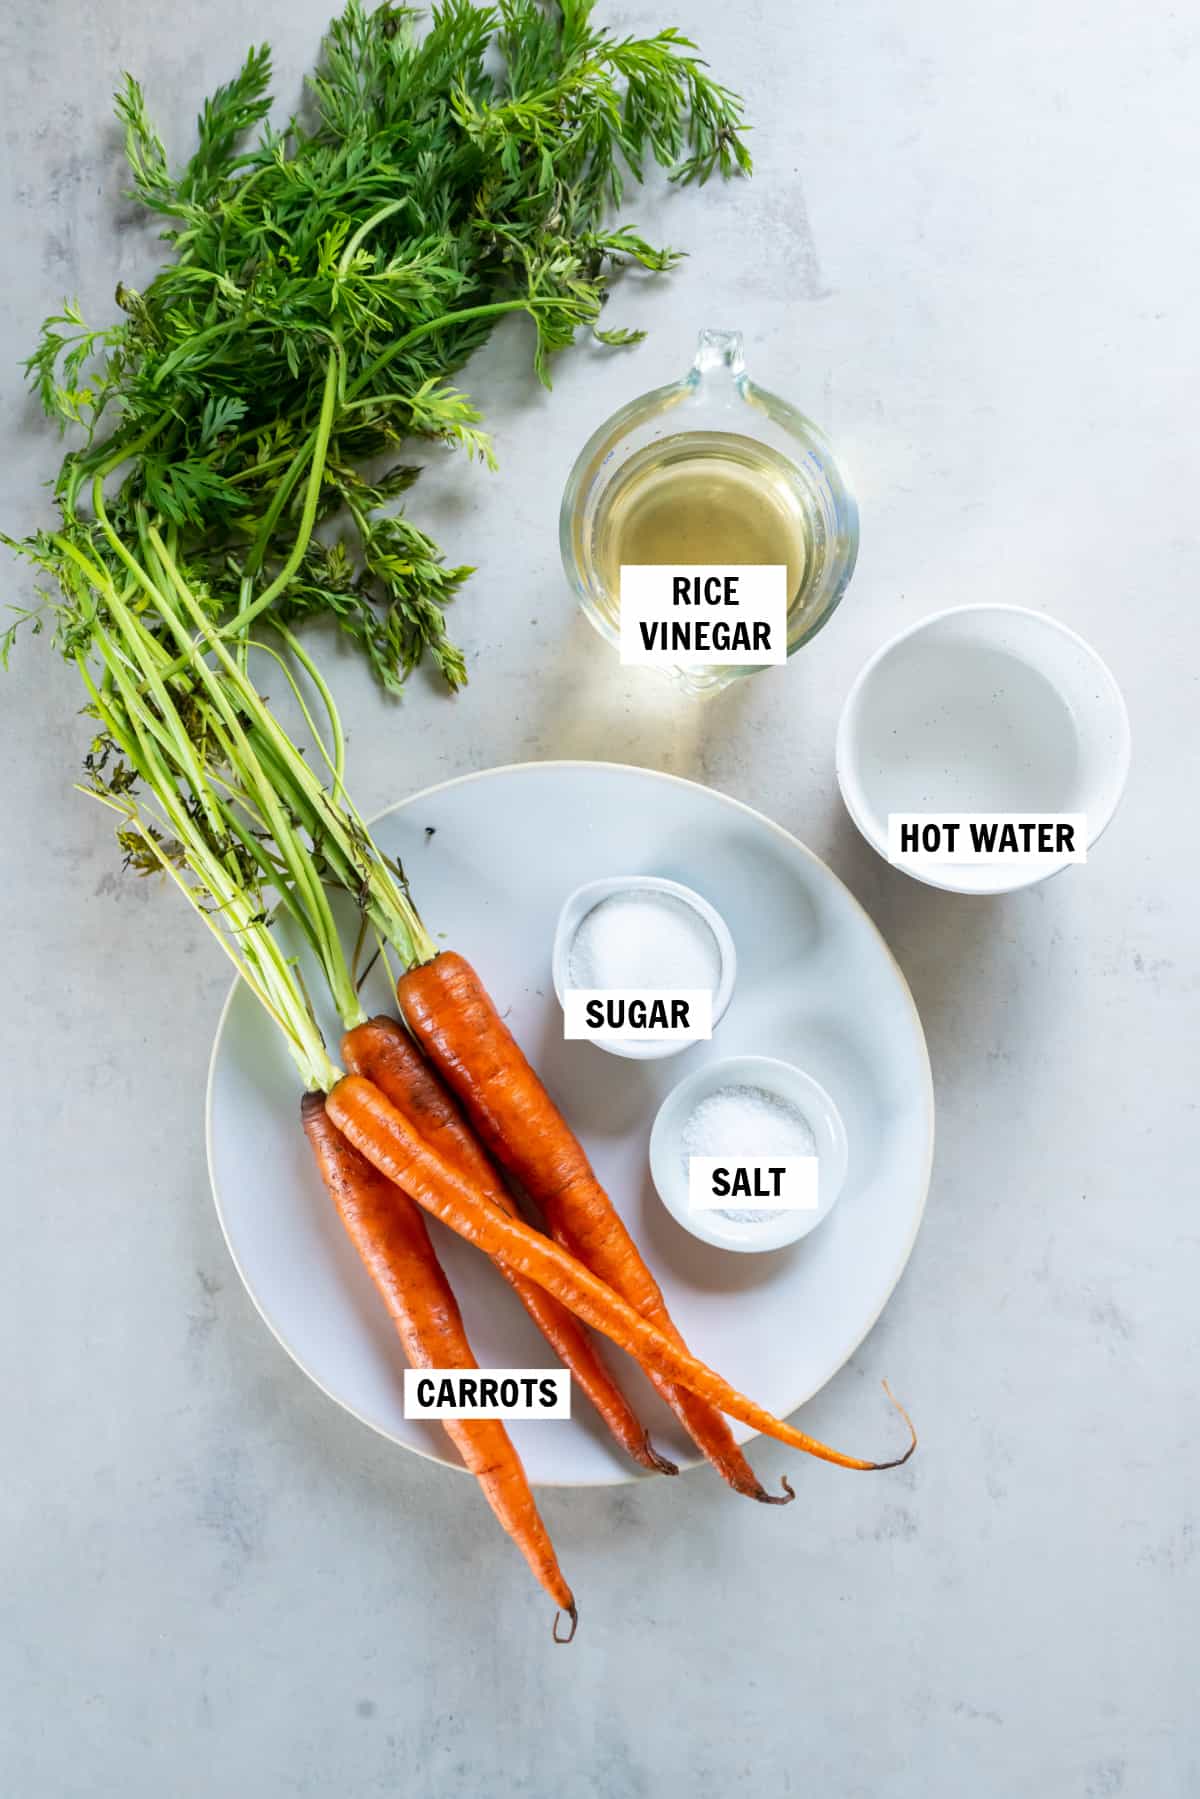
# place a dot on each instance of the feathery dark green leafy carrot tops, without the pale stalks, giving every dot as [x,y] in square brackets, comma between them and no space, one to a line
[442,179]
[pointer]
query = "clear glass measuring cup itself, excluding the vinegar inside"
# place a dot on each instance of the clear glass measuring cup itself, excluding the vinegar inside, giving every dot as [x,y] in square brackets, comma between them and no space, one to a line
[721,418]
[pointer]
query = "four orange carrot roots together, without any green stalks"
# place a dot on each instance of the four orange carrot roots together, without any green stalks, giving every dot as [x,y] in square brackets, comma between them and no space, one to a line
[393,1125]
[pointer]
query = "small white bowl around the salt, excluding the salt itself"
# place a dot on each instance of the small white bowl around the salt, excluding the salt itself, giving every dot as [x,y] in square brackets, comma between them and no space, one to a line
[784,1082]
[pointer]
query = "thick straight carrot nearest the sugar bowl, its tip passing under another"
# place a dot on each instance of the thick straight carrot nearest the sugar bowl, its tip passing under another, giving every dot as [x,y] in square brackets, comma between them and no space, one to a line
[472,1048]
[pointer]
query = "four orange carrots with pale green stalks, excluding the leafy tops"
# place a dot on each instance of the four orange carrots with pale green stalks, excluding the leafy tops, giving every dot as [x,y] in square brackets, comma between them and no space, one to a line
[434,1104]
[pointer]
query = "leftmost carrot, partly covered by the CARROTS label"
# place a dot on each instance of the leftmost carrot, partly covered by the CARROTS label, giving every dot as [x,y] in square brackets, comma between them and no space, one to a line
[393,1240]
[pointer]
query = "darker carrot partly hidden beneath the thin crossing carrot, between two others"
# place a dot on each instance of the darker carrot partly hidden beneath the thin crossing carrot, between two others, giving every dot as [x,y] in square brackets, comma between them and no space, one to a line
[384,1053]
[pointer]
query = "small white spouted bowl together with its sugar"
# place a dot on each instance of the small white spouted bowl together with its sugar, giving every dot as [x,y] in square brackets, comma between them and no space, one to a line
[647,935]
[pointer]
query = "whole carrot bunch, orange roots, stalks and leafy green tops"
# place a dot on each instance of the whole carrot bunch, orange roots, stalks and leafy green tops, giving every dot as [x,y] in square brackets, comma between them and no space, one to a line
[229,407]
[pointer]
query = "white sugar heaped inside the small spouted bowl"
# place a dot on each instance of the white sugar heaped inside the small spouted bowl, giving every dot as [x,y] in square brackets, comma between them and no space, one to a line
[645,940]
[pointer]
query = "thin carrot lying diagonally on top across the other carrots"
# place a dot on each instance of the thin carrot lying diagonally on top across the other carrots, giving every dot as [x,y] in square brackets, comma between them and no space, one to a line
[391,1145]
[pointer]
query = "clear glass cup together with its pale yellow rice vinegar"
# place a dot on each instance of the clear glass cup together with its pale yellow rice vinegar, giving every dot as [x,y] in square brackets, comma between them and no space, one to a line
[710,470]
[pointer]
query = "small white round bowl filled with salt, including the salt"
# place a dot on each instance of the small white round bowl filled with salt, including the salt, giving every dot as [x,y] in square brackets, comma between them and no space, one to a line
[748,1109]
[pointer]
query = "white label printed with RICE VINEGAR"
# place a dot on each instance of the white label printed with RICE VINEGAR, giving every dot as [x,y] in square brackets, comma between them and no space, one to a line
[692,618]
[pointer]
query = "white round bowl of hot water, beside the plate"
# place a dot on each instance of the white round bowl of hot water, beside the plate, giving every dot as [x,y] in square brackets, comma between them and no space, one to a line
[983,710]
